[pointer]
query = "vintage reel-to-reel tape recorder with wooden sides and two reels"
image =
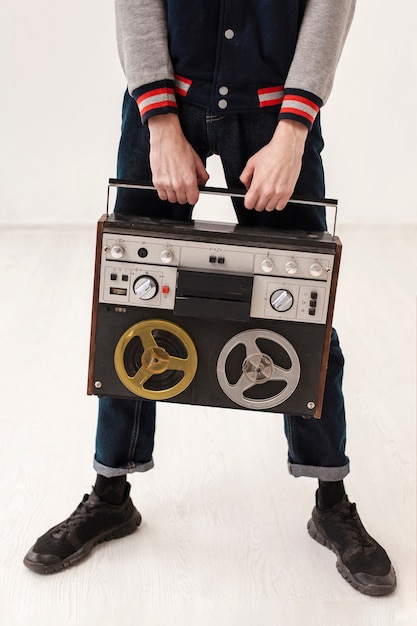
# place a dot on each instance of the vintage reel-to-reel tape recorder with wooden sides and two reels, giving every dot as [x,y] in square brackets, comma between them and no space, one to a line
[212,314]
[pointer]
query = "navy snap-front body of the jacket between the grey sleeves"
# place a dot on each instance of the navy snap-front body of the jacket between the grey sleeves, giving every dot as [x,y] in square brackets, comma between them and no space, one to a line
[227,53]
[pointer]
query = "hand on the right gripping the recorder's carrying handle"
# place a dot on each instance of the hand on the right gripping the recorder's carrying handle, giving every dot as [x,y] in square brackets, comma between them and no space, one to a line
[271,174]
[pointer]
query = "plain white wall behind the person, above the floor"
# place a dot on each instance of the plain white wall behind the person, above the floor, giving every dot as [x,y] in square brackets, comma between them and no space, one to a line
[60,114]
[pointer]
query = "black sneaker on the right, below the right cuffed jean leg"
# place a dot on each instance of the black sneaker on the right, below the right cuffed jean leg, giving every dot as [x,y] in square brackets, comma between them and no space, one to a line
[360,559]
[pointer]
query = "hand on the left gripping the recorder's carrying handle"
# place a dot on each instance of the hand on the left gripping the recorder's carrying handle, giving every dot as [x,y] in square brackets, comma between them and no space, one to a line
[177,170]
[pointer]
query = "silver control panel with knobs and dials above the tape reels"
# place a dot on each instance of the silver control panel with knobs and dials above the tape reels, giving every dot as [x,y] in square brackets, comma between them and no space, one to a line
[143,272]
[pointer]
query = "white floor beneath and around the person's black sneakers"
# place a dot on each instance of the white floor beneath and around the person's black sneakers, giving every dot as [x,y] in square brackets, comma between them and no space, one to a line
[224,537]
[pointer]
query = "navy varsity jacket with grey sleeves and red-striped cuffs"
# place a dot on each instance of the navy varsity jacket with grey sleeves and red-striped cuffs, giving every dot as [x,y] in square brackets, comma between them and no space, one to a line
[232,55]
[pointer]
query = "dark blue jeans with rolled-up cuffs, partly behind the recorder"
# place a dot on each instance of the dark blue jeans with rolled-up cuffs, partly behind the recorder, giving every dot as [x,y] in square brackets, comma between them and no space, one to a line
[126,427]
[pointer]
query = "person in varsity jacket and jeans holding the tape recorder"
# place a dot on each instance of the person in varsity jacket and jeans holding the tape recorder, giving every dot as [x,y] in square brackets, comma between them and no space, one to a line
[245,81]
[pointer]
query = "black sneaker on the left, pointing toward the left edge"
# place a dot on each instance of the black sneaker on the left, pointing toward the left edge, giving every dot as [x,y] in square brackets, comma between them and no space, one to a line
[92,522]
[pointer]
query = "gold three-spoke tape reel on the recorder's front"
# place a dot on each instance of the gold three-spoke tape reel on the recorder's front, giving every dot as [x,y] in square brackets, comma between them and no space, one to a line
[155,359]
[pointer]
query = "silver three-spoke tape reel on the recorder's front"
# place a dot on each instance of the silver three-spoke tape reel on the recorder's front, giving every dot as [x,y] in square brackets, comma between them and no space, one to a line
[258,368]
